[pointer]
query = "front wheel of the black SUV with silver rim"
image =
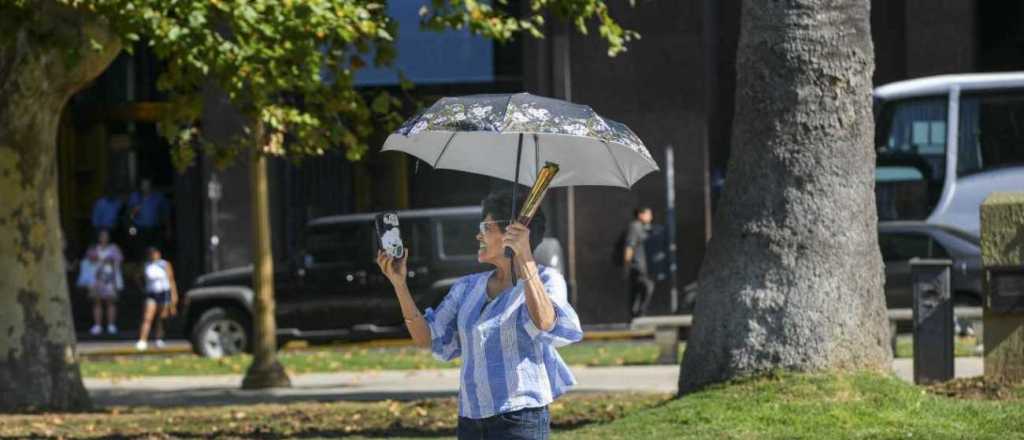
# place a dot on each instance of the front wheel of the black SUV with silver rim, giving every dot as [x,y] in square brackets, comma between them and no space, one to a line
[222,332]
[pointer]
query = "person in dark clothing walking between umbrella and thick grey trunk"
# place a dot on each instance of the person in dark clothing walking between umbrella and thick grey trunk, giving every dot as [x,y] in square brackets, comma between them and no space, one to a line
[635,260]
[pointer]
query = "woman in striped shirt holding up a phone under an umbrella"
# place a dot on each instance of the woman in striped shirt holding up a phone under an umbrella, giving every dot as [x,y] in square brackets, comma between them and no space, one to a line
[505,328]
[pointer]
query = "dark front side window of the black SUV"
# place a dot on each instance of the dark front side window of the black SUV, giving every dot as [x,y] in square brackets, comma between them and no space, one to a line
[339,244]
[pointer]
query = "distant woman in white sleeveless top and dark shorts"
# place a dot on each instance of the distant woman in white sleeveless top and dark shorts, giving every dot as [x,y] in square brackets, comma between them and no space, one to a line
[161,297]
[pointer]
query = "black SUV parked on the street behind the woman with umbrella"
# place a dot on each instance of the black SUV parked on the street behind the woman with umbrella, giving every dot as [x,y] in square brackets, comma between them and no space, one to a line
[333,290]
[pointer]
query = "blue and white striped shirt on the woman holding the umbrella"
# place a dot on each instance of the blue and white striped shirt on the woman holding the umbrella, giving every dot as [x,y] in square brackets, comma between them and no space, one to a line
[508,363]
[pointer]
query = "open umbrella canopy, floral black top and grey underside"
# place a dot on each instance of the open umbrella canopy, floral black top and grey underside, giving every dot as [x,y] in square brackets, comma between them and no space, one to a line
[491,135]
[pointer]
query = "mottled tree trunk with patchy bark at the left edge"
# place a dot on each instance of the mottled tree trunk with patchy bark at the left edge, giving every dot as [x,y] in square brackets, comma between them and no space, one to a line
[46,57]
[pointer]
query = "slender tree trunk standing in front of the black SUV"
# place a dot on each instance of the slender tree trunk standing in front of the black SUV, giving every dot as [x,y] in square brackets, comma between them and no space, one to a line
[266,372]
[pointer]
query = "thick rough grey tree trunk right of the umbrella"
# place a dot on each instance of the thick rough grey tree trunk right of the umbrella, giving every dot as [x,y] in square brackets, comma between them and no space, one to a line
[793,278]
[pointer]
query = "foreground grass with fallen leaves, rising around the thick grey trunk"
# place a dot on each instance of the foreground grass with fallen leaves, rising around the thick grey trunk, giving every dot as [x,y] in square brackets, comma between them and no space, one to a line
[783,407]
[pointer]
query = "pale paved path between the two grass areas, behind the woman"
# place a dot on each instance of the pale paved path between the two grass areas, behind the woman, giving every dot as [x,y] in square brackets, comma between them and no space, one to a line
[399,385]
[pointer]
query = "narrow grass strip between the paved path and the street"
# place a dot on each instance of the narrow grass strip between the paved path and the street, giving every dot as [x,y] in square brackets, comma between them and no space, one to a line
[348,359]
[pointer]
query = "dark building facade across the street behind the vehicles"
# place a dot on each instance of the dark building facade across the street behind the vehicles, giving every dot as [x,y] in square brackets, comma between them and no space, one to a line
[674,89]
